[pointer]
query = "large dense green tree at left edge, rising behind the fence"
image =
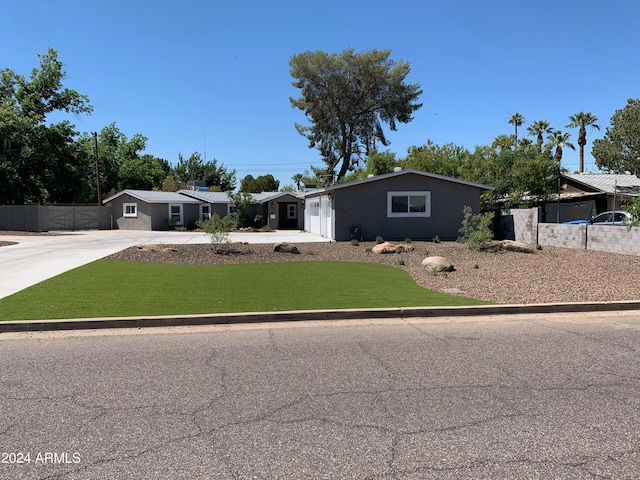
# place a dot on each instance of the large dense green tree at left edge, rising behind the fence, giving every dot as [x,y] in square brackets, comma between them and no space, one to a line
[38,159]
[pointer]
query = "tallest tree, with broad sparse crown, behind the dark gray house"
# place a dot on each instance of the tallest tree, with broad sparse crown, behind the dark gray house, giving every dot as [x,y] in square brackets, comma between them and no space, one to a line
[348,97]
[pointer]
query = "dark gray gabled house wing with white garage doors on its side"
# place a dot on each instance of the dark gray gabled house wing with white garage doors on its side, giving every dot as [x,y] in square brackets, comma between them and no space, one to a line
[405,204]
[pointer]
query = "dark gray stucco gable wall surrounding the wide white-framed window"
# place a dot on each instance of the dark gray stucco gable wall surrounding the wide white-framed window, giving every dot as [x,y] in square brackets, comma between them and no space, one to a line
[366,205]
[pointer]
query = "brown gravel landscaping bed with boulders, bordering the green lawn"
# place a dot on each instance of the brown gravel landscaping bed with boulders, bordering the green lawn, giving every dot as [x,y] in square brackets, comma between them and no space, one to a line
[547,276]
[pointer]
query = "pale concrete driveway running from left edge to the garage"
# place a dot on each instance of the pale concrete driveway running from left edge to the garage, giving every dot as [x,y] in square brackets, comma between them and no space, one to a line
[35,258]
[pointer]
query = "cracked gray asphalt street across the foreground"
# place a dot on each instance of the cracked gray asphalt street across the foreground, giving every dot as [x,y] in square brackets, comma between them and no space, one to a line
[504,397]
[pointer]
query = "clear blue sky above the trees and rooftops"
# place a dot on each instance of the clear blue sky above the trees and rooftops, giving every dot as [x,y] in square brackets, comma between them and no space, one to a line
[213,77]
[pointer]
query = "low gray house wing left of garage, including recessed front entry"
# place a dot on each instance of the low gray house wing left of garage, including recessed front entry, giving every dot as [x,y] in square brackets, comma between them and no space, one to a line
[154,210]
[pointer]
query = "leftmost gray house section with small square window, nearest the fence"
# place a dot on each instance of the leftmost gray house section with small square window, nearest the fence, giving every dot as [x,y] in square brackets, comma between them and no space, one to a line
[151,210]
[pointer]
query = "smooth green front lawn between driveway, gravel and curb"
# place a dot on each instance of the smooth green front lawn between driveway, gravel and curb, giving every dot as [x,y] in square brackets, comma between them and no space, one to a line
[108,288]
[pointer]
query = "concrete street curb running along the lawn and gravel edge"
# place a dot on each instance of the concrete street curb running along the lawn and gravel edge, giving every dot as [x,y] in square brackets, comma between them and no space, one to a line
[302,315]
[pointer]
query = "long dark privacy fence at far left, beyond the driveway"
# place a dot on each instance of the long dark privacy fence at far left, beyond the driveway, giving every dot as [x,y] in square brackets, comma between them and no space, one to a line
[44,218]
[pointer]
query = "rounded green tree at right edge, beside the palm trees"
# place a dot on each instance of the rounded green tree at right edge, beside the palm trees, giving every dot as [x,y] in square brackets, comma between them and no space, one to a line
[619,150]
